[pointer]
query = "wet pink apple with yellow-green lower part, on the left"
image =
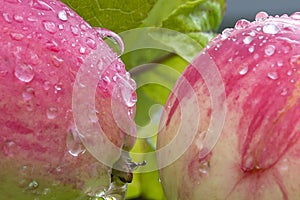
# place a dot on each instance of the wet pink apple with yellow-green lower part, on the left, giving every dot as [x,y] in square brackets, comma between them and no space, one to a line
[43,45]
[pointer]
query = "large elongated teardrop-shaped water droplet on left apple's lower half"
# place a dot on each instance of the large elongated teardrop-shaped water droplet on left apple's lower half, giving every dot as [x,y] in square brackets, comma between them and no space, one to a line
[74,144]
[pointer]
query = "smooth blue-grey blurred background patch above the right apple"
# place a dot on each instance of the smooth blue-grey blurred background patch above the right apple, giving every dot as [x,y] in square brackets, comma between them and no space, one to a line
[237,9]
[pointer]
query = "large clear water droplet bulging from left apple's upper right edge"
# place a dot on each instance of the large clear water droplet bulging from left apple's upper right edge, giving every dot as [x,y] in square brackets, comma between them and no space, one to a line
[113,40]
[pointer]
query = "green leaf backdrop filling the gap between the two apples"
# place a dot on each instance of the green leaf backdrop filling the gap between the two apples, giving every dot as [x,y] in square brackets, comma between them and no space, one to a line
[197,19]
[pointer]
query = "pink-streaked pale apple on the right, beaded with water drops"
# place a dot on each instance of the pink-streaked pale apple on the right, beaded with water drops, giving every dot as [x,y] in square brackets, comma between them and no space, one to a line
[258,153]
